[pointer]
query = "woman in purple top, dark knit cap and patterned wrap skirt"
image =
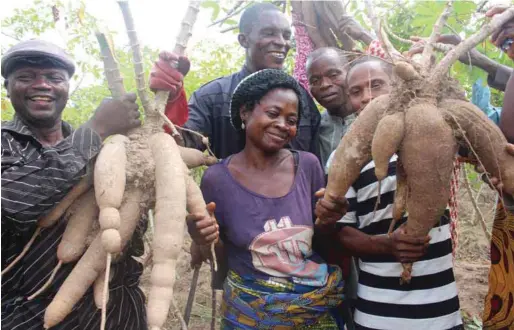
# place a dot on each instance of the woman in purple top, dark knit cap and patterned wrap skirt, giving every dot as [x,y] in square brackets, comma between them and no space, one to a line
[264,206]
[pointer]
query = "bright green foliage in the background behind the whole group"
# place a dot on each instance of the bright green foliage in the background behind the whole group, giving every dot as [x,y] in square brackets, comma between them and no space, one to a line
[210,60]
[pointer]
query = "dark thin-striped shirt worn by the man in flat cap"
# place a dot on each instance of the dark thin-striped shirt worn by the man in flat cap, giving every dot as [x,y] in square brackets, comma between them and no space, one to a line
[34,180]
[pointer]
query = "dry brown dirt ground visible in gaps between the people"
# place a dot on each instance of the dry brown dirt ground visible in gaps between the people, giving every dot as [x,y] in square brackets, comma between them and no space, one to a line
[471,266]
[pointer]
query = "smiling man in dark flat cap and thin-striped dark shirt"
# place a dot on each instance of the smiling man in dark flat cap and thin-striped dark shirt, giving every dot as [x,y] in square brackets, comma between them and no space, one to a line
[43,157]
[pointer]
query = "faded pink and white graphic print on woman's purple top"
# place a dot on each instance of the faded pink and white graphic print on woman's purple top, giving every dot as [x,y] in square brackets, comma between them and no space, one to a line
[283,249]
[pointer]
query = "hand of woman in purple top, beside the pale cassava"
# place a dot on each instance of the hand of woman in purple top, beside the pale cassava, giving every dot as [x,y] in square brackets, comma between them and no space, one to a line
[203,228]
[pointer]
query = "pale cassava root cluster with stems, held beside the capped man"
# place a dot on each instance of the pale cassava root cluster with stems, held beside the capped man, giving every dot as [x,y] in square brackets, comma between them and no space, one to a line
[131,174]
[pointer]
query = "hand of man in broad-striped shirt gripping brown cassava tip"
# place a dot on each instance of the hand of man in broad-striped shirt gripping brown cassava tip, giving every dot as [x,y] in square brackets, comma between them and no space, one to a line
[407,248]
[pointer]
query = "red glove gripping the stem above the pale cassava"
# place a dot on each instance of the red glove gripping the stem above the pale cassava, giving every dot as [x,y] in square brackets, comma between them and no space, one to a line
[164,76]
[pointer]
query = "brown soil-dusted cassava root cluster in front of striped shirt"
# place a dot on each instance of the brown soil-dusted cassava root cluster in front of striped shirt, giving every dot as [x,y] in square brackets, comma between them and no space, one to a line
[424,121]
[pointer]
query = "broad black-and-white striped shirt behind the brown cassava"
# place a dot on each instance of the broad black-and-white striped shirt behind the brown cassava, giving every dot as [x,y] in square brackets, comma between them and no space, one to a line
[430,301]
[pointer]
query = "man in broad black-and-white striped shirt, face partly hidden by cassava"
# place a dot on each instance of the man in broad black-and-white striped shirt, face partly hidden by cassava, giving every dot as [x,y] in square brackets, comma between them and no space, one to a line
[430,300]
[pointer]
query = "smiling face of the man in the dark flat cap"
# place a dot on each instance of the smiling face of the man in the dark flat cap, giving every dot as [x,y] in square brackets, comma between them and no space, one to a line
[38,95]
